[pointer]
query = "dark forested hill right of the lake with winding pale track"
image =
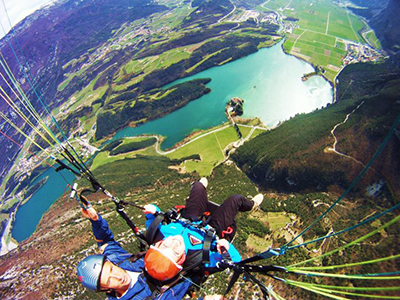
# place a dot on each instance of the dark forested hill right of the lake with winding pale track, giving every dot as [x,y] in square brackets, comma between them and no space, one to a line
[303,159]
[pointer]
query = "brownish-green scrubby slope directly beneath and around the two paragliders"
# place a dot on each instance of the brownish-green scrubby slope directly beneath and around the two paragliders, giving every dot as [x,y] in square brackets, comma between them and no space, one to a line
[44,265]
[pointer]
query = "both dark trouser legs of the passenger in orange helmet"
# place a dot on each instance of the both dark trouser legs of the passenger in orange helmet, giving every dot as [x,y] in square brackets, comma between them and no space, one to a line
[223,218]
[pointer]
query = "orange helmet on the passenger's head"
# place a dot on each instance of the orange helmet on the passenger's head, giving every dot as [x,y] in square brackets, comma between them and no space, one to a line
[159,265]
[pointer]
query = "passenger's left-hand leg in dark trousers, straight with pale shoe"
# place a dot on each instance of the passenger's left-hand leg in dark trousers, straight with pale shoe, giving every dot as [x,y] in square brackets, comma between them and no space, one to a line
[196,204]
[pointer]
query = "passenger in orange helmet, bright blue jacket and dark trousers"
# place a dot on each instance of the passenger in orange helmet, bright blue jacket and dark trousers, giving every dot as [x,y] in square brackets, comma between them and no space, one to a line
[166,258]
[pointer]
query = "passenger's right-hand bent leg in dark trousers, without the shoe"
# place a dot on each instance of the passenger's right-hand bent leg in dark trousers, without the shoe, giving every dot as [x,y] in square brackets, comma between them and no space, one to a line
[224,217]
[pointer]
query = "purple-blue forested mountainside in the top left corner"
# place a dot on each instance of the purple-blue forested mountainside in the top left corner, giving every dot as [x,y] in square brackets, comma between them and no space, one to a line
[53,36]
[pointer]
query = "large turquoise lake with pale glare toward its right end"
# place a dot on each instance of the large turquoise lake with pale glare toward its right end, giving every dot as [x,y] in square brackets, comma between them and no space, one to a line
[214,101]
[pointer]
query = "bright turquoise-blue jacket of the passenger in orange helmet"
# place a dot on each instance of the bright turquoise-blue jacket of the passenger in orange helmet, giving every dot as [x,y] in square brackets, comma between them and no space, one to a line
[193,238]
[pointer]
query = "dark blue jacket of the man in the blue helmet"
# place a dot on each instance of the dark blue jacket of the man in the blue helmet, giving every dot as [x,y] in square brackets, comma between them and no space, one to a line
[117,255]
